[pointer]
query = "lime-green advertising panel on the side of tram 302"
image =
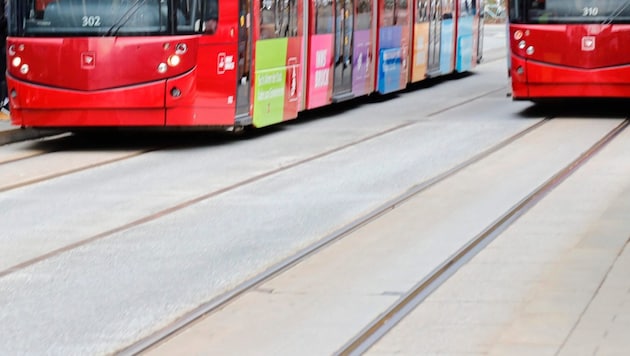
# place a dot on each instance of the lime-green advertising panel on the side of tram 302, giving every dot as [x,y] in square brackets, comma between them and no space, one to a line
[271,56]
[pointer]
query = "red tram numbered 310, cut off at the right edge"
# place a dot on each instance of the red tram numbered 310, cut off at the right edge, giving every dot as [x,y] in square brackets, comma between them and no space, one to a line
[569,49]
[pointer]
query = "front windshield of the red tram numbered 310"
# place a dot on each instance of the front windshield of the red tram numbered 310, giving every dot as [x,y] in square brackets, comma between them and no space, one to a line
[570,11]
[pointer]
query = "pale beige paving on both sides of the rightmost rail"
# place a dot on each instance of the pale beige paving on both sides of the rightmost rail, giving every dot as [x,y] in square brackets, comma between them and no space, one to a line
[554,283]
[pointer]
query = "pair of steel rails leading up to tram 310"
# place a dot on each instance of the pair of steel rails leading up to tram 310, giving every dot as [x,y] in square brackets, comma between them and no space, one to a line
[409,300]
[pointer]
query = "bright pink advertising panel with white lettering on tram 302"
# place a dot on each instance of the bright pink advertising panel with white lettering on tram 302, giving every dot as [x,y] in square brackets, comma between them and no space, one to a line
[320,71]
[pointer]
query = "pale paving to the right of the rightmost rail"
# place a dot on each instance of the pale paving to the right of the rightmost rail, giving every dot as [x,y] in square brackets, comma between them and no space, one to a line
[555,283]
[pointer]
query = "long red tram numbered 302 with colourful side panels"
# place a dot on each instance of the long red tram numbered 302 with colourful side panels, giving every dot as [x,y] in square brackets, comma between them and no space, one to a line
[223,63]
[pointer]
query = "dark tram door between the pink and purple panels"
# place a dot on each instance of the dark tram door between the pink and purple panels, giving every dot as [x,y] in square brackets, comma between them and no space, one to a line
[344,23]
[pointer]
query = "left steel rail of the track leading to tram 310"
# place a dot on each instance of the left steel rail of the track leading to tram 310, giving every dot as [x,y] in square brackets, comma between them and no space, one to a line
[221,301]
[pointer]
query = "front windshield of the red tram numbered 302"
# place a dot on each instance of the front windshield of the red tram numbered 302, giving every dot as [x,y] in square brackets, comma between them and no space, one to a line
[52,18]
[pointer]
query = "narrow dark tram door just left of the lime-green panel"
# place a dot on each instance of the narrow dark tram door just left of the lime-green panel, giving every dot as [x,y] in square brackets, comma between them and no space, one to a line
[244,59]
